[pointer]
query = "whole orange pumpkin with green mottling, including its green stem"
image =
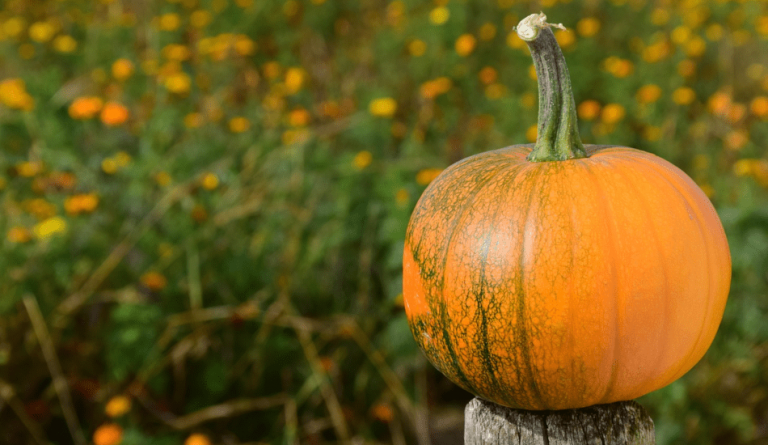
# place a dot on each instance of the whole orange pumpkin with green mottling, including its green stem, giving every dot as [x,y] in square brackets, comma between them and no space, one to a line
[557,275]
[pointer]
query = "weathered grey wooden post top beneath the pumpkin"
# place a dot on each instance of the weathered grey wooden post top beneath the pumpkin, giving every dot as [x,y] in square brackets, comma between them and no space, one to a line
[620,423]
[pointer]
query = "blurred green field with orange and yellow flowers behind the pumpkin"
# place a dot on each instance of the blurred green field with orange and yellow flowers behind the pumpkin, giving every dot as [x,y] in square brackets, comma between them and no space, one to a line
[204,203]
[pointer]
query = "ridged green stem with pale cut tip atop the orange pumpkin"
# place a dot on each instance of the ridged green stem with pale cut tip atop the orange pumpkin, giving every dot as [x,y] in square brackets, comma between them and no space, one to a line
[558,133]
